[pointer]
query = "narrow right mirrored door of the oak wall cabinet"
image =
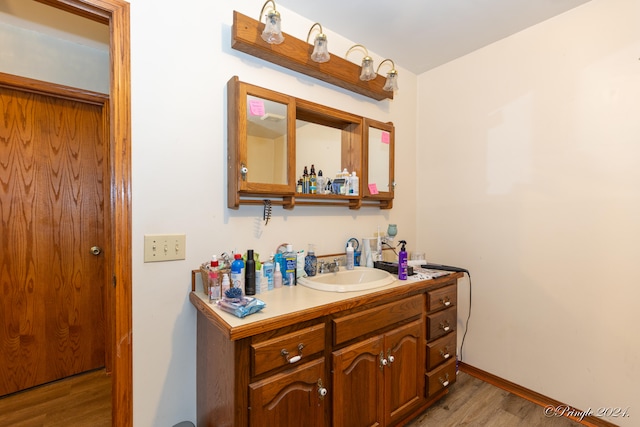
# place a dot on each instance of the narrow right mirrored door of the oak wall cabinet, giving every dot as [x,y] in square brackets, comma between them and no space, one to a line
[379,143]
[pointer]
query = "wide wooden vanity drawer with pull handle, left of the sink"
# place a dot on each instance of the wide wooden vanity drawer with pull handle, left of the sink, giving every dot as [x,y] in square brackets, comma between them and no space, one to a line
[295,347]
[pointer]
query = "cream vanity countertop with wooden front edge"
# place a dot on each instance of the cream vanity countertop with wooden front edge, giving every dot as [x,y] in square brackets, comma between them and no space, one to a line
[292,304]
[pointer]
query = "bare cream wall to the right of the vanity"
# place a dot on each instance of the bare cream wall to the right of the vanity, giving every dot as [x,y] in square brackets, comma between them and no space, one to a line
[532,146]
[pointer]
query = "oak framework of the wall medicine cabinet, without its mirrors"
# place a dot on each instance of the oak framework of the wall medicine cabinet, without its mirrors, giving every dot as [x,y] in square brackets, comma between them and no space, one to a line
[352,152]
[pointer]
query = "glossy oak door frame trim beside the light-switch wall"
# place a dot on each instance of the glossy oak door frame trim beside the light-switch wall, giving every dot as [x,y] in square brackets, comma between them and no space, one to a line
[116,14]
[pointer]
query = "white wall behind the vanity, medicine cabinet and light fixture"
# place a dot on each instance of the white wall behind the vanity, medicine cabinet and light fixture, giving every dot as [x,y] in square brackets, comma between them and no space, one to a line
[181,62]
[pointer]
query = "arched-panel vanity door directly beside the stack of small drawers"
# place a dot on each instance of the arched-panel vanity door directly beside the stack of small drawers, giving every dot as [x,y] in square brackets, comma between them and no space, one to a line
[404,374]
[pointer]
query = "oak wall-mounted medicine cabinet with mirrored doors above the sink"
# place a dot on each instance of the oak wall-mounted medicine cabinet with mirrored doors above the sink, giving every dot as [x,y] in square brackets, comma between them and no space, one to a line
[272,137]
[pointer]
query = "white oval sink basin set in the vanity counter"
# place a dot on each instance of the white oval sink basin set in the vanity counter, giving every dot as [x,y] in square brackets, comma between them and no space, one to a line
[358,279]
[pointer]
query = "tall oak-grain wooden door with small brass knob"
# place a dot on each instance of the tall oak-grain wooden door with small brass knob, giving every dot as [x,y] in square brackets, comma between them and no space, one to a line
[53,168]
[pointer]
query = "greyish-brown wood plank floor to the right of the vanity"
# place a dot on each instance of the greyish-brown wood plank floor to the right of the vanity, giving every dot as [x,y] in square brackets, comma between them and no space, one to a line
[473,402]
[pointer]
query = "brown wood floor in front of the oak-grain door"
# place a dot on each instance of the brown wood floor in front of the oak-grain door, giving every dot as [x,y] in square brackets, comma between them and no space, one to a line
[81,400]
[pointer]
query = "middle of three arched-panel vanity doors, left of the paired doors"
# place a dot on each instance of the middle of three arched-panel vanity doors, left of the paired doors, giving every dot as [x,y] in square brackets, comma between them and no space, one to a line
[357,384]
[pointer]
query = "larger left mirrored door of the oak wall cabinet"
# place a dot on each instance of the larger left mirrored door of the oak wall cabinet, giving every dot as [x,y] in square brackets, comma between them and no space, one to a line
[261,142]
